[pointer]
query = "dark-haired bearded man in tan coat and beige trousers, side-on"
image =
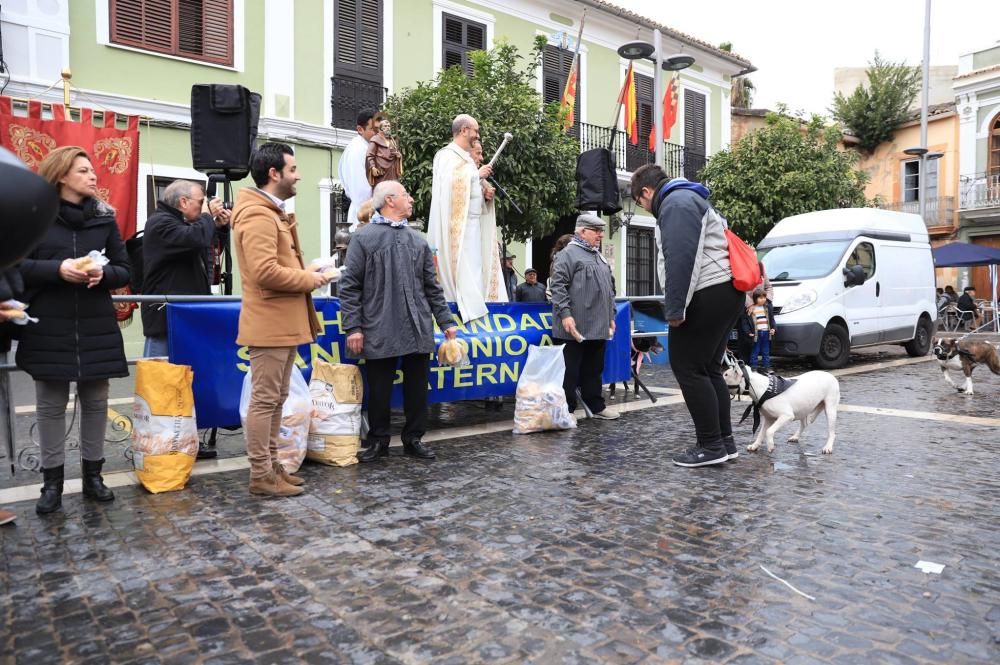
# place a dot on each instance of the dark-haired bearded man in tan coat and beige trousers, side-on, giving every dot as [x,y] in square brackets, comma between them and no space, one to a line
[277,314]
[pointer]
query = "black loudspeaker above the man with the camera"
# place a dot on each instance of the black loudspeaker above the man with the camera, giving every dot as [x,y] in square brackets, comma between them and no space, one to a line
[223,128]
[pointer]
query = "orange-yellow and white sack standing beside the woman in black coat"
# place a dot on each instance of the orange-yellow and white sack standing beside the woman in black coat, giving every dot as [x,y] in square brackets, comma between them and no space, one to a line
[164,433]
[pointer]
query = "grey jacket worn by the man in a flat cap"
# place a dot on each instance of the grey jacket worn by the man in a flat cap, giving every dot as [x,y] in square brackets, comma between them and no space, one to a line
[582,287]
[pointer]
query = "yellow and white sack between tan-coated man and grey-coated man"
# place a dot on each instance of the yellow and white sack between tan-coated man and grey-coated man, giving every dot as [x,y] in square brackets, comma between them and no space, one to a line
[335,431]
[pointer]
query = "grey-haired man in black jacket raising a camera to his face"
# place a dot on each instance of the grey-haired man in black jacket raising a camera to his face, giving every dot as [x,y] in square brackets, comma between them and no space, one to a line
[177,253]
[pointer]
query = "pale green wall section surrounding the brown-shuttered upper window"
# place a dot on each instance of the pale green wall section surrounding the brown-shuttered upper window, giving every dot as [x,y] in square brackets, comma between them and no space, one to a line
[149,76]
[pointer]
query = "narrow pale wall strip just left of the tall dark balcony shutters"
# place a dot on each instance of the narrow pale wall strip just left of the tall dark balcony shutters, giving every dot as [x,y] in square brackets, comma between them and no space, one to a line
[310,26]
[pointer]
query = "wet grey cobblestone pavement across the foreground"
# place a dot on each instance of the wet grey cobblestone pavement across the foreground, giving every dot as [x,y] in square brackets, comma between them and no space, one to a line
[586,546]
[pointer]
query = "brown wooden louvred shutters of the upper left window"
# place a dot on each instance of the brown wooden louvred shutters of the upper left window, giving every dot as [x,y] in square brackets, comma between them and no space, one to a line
[198,29]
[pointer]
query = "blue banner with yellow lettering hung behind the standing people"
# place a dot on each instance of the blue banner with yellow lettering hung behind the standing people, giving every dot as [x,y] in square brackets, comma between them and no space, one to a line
[203,336]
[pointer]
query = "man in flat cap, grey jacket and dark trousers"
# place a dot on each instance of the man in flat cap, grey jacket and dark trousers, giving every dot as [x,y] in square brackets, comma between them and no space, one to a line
[583,308]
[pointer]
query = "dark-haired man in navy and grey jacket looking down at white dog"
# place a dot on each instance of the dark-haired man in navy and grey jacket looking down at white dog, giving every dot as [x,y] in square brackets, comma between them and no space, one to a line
[701,304]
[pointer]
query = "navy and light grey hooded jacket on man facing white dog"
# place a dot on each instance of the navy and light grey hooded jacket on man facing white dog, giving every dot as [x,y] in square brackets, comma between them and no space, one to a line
[691,239]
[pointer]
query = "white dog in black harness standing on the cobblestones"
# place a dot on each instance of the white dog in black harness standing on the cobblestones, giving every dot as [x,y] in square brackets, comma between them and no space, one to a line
[802,398]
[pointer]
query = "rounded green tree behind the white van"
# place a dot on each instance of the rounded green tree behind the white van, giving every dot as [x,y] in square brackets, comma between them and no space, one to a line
[788,167]
